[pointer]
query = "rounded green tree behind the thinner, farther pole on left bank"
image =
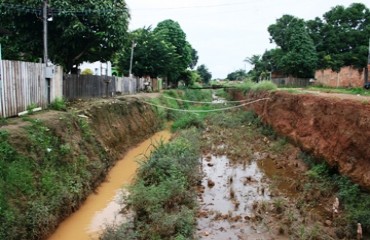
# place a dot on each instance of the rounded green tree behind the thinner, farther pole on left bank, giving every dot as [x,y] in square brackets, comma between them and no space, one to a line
[163,51]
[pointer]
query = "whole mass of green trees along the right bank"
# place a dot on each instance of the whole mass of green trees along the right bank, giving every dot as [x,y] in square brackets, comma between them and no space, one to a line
[340,38]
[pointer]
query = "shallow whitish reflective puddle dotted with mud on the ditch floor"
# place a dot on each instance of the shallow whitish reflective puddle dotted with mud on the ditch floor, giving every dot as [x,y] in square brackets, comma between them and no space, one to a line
[228,200]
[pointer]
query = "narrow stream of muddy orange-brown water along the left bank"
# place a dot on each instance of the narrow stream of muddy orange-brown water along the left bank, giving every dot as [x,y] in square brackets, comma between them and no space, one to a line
[103,207]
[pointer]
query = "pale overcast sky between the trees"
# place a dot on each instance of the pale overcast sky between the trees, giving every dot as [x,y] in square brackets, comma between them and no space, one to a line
[225,32]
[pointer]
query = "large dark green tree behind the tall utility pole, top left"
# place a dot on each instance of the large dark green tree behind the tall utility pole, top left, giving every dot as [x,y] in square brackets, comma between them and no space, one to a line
[86,30]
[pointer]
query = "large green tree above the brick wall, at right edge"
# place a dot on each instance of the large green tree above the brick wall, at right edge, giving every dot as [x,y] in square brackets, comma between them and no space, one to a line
[341,36]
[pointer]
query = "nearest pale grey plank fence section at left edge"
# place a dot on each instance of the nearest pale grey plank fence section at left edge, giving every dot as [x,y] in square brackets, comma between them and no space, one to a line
[22,84]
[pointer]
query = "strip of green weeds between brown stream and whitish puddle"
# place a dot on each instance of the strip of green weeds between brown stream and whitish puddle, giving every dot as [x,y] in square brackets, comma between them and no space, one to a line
[162,195]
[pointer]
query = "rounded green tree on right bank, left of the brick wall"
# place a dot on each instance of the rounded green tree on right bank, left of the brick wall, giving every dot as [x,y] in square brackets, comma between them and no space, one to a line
[299,56]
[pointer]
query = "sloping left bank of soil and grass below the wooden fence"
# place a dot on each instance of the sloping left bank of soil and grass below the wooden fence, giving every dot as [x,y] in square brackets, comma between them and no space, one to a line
[50,162]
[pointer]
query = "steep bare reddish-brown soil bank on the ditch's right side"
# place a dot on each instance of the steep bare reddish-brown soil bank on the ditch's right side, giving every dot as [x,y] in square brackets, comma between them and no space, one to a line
[337,130]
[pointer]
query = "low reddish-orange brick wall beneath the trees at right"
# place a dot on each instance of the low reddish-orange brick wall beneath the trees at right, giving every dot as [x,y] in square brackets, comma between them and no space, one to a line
[346,77]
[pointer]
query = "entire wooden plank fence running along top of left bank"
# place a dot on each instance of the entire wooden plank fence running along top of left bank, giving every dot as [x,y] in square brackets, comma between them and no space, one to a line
[23,84]
